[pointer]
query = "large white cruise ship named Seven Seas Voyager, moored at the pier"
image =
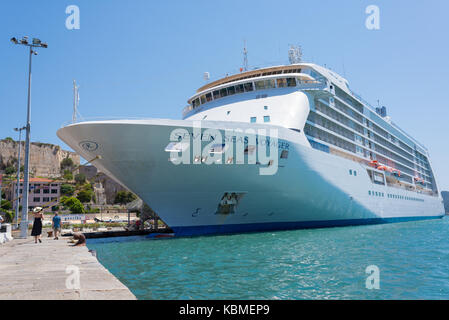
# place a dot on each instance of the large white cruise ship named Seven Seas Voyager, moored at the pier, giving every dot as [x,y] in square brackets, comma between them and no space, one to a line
[334,160]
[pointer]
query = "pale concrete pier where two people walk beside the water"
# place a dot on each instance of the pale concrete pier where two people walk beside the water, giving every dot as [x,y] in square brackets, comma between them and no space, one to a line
[49,271]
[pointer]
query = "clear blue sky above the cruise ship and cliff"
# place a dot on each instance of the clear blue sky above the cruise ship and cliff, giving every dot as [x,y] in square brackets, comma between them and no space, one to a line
[144,58]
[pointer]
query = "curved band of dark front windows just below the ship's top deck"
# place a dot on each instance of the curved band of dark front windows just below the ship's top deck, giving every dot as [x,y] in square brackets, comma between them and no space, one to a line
[245,87]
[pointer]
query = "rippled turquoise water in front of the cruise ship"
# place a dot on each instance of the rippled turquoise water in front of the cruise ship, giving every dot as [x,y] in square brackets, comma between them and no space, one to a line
[413,259]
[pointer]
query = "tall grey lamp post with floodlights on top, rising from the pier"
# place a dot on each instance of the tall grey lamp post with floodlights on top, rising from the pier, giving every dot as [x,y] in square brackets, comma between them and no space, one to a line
[36,43]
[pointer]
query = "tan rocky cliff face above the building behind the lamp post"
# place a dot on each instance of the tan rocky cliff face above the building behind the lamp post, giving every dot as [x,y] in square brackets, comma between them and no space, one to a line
[45,159]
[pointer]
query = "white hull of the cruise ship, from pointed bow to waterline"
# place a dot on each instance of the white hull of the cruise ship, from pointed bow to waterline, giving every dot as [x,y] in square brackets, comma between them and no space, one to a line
[310,189]
